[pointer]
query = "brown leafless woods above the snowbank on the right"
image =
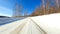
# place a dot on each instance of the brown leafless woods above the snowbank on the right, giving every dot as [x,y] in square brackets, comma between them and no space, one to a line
[46,8]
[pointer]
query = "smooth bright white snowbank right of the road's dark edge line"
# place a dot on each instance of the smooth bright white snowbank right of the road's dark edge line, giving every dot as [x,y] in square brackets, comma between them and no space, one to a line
[50,23]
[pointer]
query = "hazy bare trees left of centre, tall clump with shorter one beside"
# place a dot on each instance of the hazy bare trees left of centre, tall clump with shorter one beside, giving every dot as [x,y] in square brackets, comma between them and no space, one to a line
[18,11]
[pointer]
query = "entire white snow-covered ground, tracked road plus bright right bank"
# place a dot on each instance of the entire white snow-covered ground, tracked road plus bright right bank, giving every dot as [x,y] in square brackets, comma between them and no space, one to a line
[49,23]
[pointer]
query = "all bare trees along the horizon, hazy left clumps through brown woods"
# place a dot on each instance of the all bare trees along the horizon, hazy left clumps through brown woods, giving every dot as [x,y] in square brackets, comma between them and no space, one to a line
[47,7]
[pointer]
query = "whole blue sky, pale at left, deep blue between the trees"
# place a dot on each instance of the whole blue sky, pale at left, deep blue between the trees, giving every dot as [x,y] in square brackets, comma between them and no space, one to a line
[7,6]
